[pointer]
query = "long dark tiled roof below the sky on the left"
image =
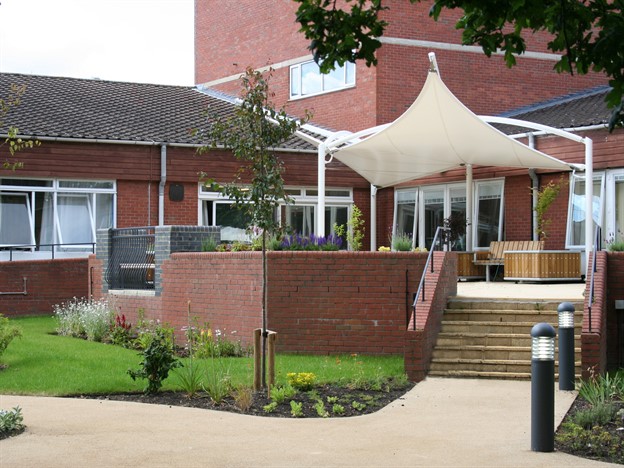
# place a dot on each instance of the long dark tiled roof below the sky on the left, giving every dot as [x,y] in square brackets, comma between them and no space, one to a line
[116,111]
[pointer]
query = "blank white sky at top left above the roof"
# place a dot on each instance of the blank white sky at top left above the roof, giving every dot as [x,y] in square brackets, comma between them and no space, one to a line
[143,41]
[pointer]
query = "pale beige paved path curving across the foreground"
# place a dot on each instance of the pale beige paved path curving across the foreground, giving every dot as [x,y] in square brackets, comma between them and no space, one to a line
[440,422]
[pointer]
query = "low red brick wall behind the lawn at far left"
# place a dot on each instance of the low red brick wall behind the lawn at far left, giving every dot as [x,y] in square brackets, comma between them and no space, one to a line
[48,282]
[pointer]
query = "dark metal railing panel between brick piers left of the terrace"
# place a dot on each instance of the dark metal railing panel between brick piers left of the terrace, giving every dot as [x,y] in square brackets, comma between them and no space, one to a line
[131,261]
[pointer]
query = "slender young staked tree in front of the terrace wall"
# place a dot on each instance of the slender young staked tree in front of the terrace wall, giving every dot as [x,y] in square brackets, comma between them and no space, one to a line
[252,133]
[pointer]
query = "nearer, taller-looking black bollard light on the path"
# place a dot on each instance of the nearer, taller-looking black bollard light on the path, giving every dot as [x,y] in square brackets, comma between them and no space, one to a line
[542,388]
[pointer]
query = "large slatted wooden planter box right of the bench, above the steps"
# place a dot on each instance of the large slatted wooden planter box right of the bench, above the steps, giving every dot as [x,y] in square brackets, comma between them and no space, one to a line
[544,265]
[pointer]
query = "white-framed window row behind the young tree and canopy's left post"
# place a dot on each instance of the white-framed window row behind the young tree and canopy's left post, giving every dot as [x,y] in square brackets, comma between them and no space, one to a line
[300,217]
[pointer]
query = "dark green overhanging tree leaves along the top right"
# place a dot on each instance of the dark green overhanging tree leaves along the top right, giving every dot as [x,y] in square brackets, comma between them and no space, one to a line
[588,34]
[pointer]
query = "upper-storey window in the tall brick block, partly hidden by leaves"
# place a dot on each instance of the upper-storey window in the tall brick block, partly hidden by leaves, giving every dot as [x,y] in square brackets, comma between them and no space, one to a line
[306,79]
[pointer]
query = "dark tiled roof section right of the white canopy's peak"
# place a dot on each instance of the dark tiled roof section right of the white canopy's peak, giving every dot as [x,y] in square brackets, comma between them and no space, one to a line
[581,109]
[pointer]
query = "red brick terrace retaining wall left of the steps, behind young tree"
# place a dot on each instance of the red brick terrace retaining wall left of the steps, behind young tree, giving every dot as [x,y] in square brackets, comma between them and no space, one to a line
[318,301]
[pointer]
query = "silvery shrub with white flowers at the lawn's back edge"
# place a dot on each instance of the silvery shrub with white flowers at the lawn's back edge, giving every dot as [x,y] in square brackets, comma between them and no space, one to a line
[84,319]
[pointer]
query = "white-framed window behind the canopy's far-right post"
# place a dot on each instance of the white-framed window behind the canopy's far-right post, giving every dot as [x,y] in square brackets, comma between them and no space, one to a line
[575,236]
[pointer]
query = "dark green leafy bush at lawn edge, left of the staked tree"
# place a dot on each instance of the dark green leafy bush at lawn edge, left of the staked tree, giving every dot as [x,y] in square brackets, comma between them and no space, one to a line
[158,360]
